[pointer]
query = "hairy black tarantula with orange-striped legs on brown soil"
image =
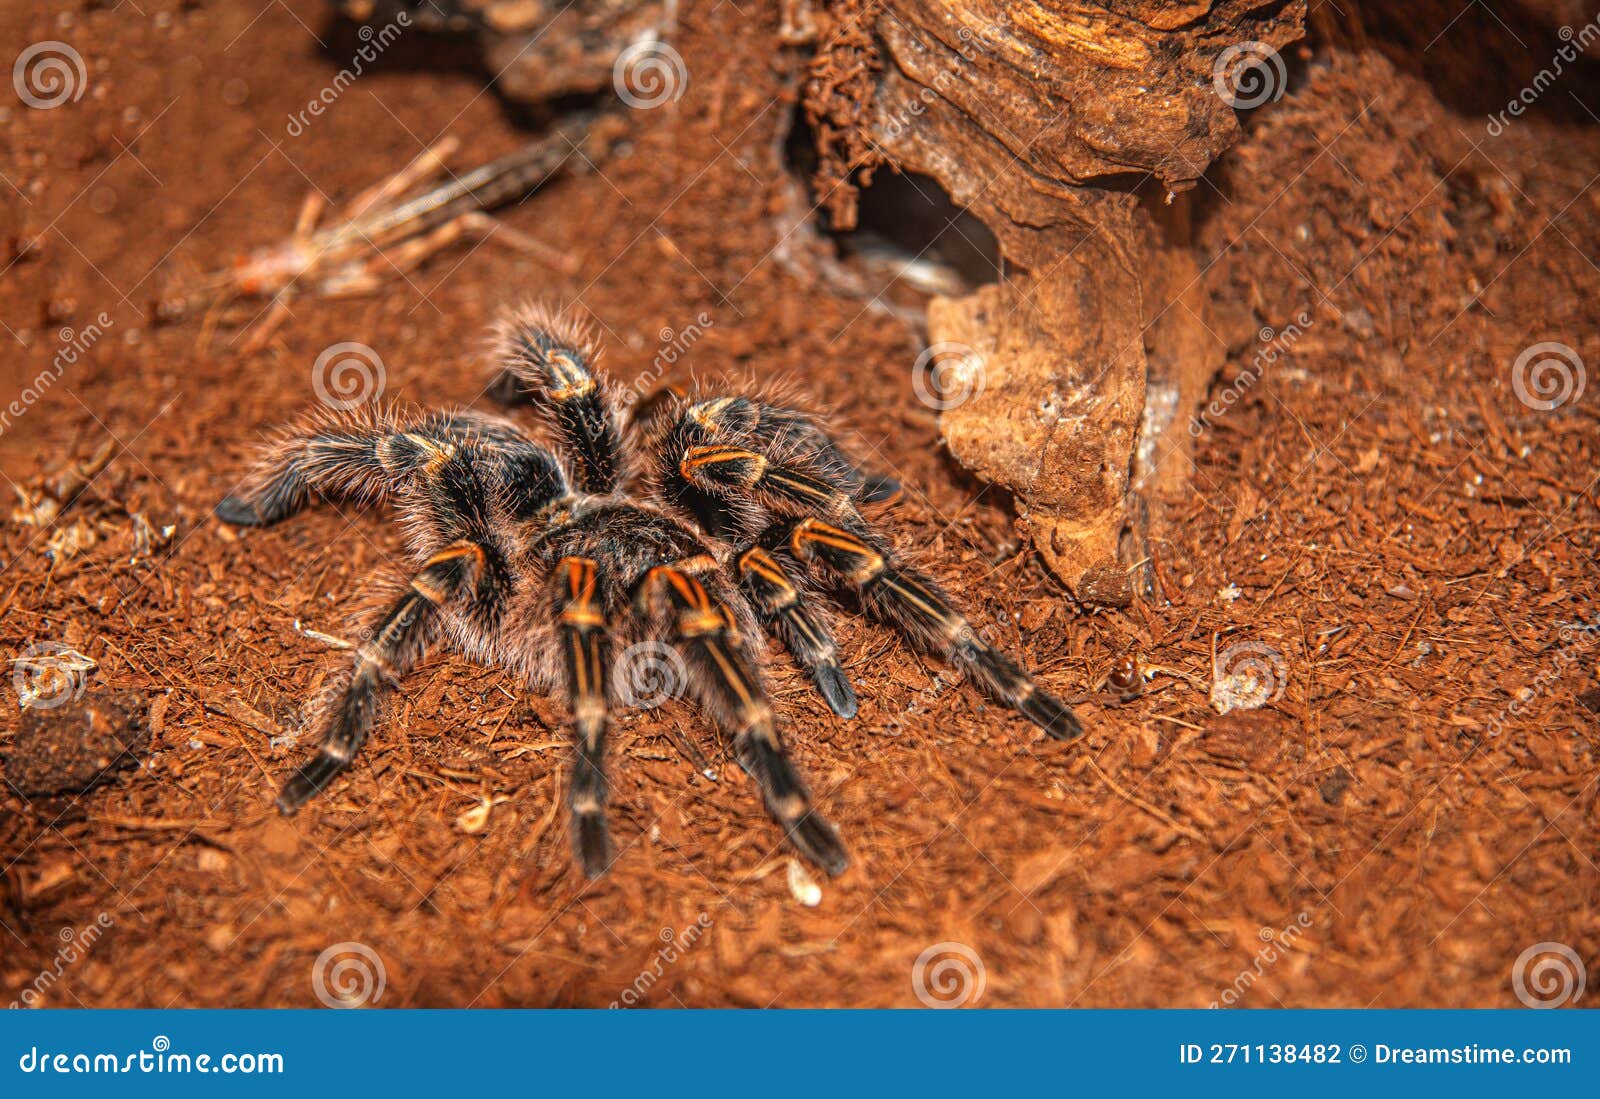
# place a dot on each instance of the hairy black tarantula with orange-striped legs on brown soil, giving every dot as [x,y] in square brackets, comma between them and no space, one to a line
[687,526]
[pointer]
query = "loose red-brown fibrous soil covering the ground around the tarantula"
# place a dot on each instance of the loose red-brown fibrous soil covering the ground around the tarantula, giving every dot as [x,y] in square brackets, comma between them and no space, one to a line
[1380,510]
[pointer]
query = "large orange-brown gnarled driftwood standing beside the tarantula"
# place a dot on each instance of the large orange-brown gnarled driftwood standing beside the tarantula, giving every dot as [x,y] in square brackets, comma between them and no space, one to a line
[1047,121]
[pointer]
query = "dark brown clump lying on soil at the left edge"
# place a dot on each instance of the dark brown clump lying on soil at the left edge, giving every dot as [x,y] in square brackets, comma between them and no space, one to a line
[76,746]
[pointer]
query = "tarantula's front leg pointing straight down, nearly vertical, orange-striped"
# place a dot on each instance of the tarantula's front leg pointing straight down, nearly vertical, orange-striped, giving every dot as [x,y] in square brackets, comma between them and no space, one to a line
[585,644]
